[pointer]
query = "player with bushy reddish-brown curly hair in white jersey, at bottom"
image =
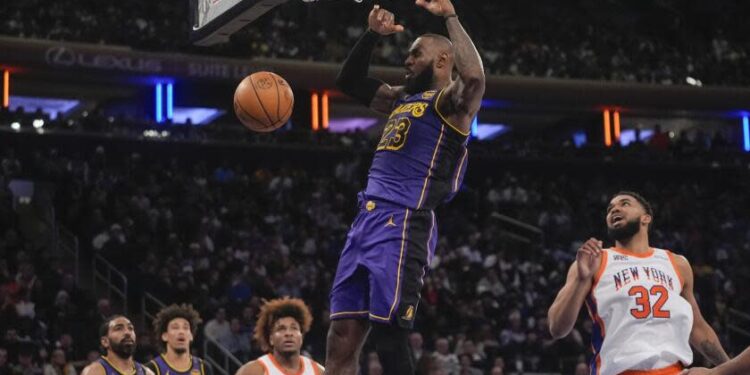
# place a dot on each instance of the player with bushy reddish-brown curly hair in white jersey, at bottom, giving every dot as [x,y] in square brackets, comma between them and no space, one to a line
[281,326]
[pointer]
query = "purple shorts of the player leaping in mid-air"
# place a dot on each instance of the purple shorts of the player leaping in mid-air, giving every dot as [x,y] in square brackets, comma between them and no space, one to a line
[380,271]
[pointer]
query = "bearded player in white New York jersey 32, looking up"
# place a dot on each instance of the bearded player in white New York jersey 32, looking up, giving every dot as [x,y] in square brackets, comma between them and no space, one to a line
[640,299]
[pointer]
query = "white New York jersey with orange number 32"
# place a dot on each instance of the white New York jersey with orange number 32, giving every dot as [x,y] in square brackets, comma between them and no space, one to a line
[640,320]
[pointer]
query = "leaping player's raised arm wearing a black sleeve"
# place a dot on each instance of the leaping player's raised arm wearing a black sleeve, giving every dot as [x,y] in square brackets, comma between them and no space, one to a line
[353,79]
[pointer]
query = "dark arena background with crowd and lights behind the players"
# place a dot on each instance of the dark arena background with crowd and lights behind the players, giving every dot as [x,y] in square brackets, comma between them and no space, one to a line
[127,183]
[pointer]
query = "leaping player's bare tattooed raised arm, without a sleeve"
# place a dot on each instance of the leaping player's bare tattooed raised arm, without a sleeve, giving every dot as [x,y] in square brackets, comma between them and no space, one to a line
[462,98]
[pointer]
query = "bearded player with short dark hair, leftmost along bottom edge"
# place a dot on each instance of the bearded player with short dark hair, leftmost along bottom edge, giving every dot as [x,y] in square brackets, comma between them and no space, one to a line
[117,337]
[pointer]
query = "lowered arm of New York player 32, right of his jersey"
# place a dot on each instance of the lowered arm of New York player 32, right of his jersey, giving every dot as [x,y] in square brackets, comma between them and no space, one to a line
[702,336]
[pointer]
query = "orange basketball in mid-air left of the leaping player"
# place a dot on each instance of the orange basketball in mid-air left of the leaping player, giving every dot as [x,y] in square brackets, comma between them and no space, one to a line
[263,101]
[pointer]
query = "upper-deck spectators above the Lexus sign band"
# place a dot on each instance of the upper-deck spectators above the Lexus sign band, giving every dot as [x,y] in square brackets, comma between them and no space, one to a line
[662,42]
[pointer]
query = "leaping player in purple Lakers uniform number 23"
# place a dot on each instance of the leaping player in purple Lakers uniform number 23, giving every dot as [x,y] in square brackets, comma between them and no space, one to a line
[418,164]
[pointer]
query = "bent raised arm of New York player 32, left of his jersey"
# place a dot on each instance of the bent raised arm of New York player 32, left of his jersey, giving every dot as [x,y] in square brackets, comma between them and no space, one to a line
[564,311]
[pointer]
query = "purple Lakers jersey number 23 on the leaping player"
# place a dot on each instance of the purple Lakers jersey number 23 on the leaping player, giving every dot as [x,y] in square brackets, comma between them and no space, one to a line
[421,158]
